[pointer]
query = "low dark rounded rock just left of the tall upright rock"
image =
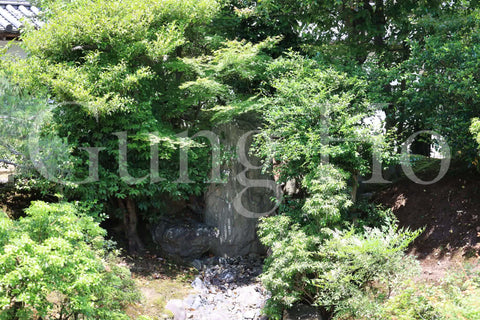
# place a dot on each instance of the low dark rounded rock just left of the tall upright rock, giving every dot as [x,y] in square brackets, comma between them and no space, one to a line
[184,240]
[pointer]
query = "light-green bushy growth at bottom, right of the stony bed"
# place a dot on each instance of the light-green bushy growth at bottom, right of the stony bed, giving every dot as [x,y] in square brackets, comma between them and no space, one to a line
[345,272]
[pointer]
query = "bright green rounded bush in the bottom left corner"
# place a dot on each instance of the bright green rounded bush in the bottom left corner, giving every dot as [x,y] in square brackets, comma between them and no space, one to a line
[55,265]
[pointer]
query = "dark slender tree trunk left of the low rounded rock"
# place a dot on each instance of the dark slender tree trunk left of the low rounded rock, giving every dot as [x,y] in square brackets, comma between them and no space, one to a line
[130,220]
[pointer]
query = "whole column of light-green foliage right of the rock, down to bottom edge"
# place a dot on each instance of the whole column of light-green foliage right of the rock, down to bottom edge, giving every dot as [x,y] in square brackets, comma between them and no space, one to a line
[315,132]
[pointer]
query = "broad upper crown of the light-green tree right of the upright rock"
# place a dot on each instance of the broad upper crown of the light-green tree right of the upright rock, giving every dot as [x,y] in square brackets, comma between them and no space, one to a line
[316,113]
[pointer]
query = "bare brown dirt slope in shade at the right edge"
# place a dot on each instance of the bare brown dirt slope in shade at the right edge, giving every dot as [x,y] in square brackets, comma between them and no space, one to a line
[449,210]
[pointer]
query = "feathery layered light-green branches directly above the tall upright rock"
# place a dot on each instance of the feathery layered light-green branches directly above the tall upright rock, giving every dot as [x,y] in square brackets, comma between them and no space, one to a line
[229,81]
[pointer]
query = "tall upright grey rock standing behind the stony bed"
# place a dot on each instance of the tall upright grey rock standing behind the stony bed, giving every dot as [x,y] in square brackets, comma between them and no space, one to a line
[237,231]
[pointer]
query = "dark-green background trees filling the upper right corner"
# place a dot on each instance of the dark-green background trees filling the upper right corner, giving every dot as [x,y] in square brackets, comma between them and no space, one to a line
[376,39]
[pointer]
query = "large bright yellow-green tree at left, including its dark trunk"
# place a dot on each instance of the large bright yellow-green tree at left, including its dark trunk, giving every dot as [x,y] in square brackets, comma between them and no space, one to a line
[114,67]
